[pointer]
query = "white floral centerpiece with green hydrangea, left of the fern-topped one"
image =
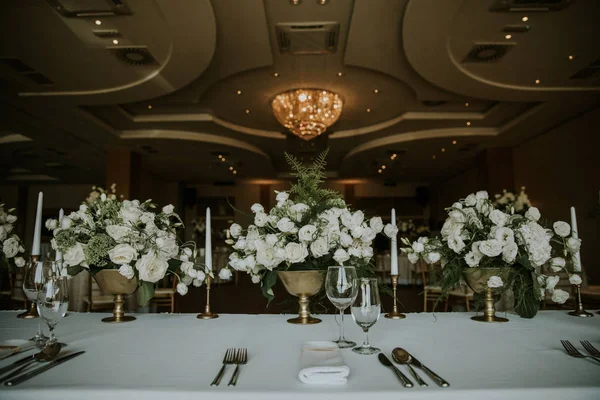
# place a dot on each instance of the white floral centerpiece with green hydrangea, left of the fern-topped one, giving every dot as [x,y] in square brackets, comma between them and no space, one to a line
[128,236]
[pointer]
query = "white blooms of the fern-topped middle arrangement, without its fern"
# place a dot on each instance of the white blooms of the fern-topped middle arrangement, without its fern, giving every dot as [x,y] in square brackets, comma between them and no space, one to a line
[284,237]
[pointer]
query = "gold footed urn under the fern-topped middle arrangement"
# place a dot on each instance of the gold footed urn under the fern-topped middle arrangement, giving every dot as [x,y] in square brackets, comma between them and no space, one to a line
[302,284]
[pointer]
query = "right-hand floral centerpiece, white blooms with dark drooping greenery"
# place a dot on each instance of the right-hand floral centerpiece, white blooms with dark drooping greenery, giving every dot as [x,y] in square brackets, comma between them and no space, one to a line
[478,235]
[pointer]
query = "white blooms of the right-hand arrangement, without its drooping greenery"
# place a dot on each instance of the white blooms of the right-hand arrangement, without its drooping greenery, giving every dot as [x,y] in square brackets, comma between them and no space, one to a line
[476,234]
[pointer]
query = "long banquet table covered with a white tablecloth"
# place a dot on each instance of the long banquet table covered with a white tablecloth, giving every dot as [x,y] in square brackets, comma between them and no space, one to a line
[176,356]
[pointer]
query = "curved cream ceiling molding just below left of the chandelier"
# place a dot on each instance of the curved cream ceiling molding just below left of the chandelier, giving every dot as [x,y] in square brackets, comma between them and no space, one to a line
[191,136]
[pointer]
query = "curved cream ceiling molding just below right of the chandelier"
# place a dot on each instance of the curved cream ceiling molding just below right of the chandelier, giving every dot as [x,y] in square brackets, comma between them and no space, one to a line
[420,135]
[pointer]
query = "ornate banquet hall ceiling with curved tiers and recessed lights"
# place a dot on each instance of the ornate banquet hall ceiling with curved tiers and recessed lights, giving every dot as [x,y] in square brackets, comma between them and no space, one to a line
[416,77]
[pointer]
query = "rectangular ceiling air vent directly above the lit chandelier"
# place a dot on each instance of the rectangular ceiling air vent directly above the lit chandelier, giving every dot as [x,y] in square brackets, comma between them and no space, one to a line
[308,38]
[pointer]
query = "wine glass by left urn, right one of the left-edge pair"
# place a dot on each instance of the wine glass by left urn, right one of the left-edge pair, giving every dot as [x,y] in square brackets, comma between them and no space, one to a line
[53,298]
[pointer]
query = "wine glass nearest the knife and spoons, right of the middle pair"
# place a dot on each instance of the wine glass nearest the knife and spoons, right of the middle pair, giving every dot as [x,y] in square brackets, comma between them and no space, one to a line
[366,310]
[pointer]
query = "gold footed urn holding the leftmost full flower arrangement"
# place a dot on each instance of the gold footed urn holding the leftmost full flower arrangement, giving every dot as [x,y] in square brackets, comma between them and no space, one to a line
[112,282]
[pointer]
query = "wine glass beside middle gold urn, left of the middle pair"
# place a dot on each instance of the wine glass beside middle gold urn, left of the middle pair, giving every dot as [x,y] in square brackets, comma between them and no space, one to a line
[341,288]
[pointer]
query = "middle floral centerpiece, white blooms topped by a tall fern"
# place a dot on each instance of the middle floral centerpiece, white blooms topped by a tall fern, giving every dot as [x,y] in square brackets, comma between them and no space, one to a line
[310,228]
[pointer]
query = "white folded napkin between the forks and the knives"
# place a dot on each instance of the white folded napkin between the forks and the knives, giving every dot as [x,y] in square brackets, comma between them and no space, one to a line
[322,363]
